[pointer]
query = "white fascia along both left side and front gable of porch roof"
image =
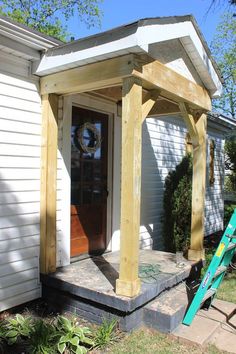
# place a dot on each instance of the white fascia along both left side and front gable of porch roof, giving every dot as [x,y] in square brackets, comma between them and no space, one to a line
[55,61]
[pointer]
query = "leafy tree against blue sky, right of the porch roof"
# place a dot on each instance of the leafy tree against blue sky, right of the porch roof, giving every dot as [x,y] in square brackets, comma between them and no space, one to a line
[224,51]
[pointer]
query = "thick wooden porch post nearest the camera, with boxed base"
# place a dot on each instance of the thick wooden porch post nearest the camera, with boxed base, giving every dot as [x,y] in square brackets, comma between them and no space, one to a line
[128,283]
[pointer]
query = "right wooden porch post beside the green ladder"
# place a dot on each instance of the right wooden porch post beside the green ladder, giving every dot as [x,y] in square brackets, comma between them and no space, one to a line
[196,251]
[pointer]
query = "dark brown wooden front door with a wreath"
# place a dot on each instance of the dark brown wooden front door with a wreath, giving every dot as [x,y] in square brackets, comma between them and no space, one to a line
[89,144]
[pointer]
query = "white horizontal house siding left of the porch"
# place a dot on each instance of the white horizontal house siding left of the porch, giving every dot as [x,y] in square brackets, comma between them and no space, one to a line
[20,130]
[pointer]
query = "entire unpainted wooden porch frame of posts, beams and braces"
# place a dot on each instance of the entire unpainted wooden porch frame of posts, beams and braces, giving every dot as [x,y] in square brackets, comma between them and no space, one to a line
[145,86]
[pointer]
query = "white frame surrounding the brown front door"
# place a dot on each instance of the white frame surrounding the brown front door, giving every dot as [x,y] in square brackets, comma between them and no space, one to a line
[100,105]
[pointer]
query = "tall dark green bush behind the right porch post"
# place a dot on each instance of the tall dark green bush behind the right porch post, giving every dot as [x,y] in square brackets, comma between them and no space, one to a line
[177,207]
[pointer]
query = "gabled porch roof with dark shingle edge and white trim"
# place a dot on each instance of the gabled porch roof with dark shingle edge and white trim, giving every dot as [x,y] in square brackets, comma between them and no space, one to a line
[137,37]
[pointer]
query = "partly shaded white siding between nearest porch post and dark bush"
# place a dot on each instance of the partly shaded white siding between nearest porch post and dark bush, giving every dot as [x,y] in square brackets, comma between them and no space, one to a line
[163,149]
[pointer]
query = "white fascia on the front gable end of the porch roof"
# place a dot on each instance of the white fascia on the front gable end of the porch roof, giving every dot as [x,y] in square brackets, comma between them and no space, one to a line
[190,40]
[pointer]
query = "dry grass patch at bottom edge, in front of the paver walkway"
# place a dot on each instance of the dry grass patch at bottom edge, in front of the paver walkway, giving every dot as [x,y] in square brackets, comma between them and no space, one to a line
[150,342]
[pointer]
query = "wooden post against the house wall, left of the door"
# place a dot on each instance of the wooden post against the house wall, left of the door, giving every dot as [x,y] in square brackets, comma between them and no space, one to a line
[48,184]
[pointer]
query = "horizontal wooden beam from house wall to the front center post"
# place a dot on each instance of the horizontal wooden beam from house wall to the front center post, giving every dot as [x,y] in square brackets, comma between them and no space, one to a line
[89,77]
